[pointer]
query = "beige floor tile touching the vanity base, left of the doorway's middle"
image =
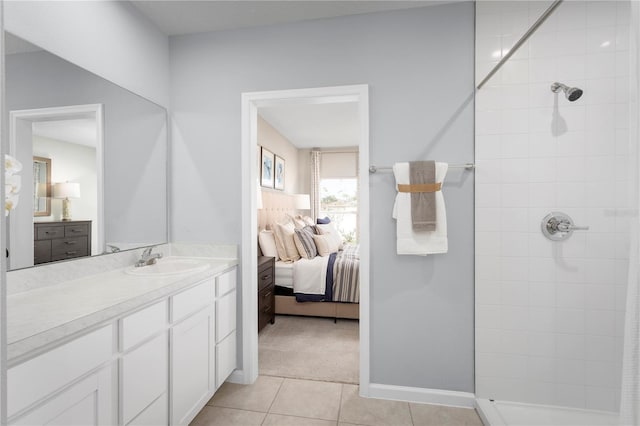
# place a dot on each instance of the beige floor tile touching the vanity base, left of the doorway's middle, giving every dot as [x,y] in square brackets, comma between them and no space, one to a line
[256,397]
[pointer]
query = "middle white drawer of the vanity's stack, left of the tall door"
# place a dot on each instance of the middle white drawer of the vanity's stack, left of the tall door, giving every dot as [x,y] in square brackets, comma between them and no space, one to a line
[144,376]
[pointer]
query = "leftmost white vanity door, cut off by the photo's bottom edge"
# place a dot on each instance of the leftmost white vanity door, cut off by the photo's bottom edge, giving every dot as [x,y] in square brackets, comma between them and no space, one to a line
[89,402]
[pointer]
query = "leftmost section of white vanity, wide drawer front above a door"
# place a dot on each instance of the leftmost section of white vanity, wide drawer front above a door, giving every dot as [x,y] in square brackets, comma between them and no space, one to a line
[71,384]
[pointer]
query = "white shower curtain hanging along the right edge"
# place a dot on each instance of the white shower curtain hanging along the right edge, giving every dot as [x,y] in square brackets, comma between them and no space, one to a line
[630,395]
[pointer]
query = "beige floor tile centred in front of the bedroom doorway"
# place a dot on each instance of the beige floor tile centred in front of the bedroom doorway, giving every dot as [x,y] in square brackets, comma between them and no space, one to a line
[304,398]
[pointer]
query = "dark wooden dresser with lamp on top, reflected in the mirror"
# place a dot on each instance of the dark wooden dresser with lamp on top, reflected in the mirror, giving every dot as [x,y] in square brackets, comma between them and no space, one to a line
[61,240]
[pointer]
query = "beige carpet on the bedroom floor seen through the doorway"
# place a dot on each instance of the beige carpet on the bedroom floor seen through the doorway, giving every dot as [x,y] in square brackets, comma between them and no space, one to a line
[310,348]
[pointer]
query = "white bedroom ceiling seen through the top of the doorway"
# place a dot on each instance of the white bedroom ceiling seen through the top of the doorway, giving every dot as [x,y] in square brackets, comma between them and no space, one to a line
[331,125]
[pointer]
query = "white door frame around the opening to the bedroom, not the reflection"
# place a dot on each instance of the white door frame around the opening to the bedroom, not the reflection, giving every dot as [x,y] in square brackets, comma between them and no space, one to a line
[249,256]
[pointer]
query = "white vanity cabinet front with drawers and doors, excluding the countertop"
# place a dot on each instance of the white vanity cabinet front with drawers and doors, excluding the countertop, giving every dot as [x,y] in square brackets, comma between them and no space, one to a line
[157,365]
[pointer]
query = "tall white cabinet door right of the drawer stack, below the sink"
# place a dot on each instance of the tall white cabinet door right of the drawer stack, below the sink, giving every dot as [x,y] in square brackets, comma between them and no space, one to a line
[192,365]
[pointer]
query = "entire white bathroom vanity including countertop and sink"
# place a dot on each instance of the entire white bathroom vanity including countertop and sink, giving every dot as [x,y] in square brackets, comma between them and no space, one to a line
[128,347]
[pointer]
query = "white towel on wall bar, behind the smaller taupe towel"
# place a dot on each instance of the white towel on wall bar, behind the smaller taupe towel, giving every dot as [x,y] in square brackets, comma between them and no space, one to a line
[419,243]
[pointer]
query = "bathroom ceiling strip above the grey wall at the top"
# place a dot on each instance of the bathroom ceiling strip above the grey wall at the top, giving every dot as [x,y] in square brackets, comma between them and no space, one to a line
[176,17]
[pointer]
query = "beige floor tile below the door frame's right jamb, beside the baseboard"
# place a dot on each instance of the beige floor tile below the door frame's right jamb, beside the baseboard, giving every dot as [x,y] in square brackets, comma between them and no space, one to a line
[372,412]
